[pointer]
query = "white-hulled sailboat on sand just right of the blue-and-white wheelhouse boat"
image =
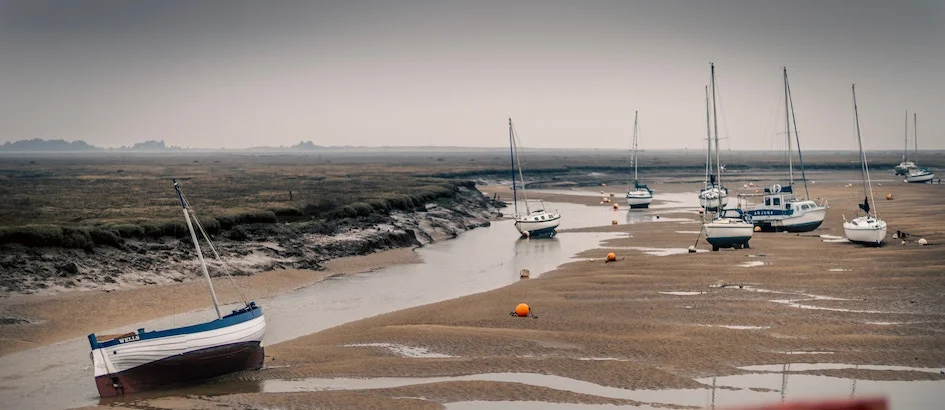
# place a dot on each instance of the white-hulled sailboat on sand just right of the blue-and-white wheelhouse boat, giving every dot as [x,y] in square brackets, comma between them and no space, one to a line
[867,229]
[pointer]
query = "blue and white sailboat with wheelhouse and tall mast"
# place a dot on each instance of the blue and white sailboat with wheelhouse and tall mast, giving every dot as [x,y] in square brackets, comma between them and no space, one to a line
[781,210]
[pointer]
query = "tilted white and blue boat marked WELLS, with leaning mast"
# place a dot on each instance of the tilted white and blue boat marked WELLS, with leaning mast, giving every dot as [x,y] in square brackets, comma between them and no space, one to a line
[145,360]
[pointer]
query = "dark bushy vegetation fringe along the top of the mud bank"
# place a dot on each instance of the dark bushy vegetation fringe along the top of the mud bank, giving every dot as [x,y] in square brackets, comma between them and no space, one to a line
[324,217]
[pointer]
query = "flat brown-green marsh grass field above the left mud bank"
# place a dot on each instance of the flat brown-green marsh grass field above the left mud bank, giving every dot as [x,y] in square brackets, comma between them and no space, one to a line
[90,201]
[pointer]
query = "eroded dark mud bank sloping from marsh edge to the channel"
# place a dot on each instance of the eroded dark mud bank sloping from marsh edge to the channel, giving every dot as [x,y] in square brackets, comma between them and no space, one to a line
[247,248]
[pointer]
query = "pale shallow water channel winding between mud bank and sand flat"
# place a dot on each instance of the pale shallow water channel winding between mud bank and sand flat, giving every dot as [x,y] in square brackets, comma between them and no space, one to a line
[60,375]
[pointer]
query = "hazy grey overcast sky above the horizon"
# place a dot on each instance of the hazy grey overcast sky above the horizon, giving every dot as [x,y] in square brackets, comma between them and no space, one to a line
[571,74]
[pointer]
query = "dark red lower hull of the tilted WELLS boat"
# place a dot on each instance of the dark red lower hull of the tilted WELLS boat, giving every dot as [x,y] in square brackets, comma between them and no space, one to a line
[187,368]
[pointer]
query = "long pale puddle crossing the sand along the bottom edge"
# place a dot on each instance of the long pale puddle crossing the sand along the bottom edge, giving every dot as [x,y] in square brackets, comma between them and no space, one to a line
[769,385]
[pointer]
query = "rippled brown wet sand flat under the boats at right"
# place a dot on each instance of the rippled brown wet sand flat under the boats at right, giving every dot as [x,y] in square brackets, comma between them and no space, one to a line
[657,329]
